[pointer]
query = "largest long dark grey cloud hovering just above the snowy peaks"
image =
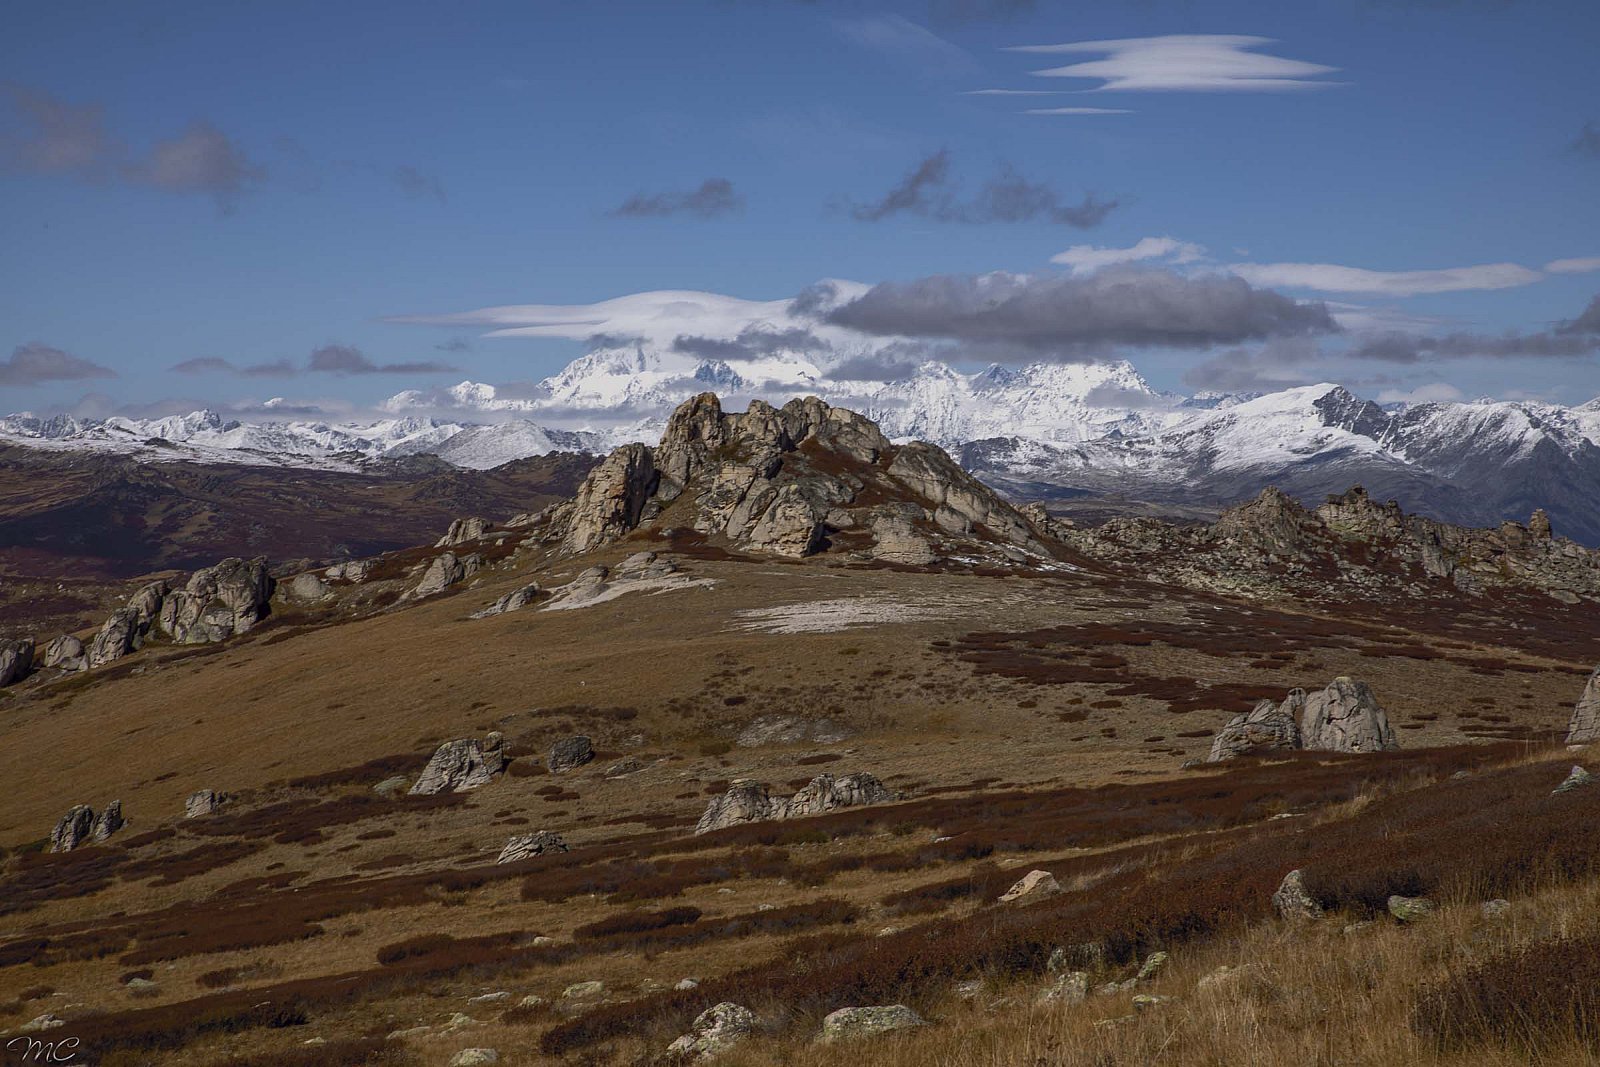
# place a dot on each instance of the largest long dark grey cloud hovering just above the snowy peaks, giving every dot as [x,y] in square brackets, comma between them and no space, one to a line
[1076,318]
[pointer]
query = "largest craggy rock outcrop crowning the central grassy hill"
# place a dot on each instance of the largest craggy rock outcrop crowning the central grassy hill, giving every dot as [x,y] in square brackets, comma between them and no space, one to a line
[796,481]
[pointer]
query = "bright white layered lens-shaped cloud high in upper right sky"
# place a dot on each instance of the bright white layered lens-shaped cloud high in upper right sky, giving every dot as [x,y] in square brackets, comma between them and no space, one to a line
[1194,63]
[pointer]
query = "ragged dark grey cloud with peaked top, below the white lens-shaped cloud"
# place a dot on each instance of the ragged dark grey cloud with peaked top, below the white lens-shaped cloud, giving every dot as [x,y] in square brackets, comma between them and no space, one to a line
[929,193]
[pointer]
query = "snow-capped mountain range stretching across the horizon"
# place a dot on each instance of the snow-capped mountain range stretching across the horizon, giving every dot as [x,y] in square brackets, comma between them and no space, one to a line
[1036,431]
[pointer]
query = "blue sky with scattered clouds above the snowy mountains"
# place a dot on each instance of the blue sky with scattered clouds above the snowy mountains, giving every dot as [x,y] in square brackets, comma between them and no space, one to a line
[258,183]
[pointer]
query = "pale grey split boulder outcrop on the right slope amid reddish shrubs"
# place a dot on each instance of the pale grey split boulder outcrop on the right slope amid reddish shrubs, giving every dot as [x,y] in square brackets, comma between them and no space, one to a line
[1343,717]
